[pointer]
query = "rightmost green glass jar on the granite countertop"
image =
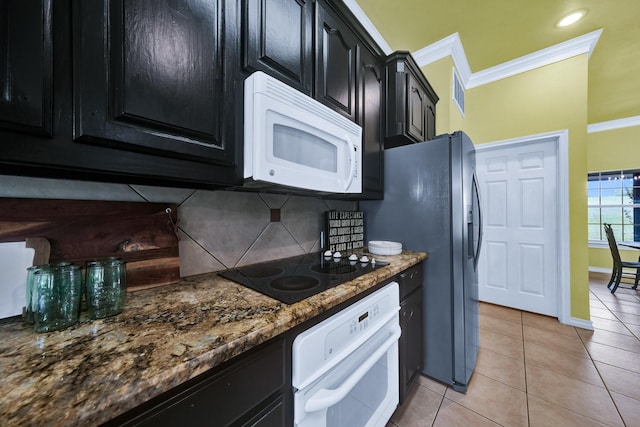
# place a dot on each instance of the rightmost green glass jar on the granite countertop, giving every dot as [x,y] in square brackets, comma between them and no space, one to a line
[106,287]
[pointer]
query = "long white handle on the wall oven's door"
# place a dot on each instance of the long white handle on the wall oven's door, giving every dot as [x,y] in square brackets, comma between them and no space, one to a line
[325,398]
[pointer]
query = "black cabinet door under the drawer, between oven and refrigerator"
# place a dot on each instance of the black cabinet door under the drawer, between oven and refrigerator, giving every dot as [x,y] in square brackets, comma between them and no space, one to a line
[410,350]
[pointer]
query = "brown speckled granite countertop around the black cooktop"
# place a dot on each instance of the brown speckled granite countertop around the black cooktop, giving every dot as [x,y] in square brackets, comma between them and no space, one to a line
[96,370]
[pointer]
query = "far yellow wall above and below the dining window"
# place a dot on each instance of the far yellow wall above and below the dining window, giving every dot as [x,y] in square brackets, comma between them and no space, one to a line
[612,150]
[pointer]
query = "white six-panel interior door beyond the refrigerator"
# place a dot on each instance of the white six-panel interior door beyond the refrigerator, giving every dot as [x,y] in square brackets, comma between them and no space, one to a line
[518,264]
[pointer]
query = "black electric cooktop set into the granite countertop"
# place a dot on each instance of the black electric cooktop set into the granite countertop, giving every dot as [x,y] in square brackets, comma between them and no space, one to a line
[293,279]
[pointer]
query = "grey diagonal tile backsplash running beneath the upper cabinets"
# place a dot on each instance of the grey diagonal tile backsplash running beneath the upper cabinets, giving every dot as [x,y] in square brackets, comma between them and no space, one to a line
[218,229]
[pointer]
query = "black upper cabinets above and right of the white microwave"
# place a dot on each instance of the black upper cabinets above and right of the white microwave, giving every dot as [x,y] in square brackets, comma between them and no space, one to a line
[278,39]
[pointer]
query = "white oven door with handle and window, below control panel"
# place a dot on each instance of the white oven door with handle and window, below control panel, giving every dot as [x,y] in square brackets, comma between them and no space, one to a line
[362,390]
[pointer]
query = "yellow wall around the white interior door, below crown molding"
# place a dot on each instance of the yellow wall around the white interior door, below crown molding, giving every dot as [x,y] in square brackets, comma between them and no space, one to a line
[546,99]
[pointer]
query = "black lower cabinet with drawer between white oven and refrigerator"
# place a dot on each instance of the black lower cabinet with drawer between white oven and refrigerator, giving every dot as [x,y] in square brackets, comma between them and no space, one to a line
[411,340]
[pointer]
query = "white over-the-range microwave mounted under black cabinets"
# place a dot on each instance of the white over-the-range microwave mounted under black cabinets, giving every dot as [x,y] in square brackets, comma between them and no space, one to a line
[293,140]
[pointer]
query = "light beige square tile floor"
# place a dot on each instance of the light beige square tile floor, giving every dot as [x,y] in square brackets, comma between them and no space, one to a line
[534,371]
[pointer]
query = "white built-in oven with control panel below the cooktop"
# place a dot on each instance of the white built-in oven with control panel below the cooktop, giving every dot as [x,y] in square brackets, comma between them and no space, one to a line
[345,369]
